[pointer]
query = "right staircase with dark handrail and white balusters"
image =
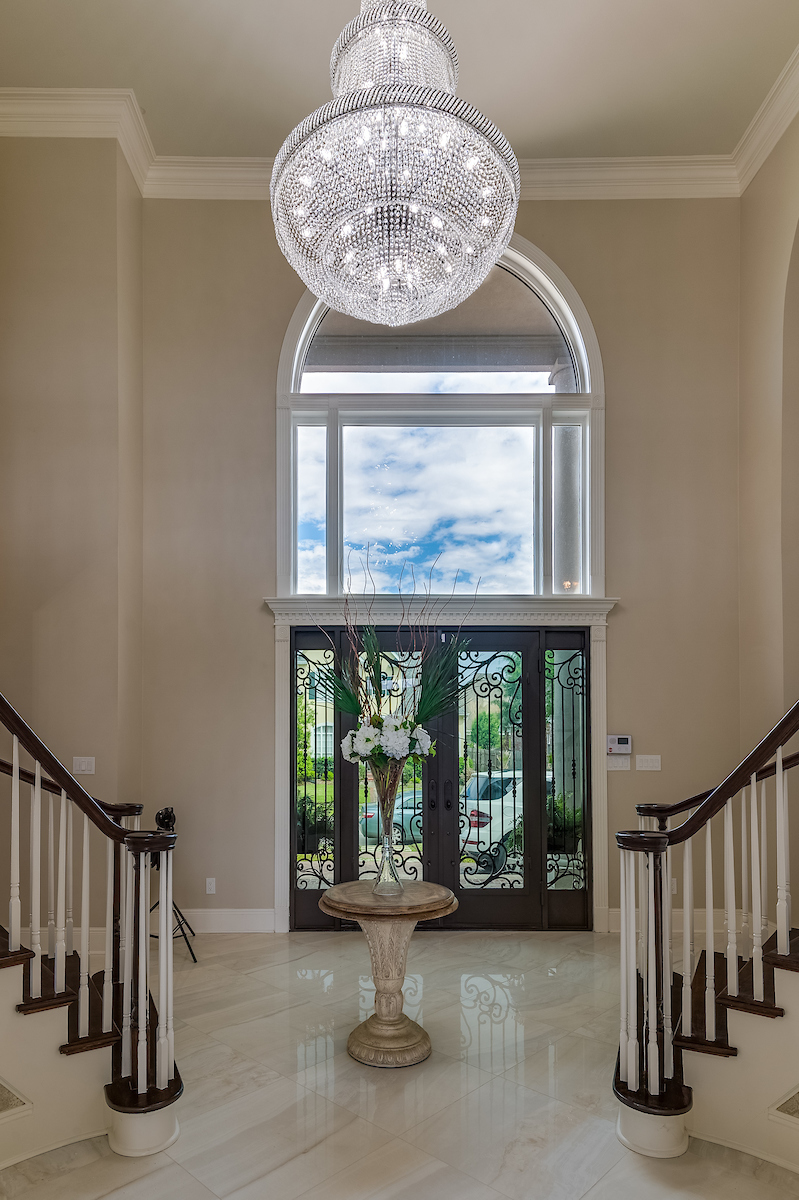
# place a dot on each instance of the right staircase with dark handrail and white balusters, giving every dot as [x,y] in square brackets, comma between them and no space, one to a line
[710,1015]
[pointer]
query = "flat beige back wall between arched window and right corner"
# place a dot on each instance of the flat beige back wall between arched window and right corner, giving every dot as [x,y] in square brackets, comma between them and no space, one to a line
[660,283]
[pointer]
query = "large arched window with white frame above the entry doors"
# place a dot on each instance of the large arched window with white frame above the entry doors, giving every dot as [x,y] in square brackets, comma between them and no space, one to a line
[459,454]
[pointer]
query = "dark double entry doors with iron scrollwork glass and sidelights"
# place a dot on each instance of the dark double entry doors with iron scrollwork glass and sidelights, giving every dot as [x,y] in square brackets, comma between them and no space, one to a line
[501,814]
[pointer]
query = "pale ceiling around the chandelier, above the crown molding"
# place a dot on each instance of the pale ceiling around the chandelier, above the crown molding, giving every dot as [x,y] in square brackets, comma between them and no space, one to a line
[562,79]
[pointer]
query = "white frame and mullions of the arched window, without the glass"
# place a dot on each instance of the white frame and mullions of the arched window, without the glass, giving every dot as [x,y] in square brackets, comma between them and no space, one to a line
[587,406]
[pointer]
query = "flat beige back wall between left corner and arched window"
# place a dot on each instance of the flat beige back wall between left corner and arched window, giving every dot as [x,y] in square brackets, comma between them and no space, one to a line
[218,299]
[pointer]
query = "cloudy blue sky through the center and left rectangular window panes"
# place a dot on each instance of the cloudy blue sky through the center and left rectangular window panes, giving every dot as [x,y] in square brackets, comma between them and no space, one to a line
[461,495]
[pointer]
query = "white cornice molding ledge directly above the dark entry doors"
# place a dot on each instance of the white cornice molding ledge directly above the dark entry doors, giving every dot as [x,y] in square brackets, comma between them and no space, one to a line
[388,610]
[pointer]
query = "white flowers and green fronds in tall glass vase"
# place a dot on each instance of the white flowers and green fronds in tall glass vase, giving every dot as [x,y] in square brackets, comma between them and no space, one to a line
[393,694]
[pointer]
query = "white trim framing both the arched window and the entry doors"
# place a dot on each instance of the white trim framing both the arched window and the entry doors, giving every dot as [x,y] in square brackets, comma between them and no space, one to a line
[290,611]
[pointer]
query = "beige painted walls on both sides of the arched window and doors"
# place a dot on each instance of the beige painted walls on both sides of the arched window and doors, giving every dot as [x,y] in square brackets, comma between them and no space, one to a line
[143,543]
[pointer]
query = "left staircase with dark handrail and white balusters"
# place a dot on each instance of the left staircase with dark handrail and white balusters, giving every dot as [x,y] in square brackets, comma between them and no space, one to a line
[83,1048]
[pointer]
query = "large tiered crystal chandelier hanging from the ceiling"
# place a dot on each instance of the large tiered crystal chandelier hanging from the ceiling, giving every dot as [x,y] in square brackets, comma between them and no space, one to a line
[394,202]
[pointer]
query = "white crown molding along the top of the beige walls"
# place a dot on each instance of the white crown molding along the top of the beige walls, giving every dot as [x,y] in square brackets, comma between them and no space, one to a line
[116,113]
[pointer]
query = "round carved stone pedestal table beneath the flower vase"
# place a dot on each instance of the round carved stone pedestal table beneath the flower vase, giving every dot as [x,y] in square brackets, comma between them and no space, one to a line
[388,1039]
